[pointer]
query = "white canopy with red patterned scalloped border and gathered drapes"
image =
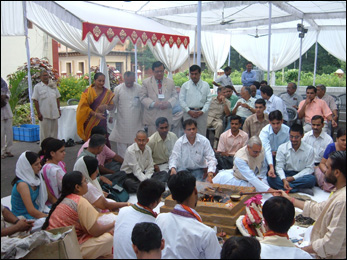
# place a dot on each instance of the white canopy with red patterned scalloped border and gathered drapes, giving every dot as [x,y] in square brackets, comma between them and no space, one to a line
[65,21]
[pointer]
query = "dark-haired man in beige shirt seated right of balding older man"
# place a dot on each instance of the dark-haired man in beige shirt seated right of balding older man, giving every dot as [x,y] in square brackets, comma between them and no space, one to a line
[161,144]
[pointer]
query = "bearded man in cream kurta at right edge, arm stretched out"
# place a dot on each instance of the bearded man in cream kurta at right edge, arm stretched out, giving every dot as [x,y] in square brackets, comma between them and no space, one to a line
[328,236]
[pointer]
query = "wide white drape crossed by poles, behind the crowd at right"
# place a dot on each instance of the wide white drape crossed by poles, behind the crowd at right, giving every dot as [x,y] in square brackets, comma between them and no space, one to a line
[285,49]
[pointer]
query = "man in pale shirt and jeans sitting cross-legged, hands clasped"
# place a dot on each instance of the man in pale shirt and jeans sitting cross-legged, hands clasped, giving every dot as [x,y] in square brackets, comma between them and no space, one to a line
[294,164]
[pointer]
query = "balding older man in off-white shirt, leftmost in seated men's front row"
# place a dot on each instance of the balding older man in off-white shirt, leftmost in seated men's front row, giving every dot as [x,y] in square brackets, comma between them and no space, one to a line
[138,164]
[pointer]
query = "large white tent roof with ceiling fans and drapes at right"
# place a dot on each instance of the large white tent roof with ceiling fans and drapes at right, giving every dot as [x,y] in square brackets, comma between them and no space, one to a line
[325,21]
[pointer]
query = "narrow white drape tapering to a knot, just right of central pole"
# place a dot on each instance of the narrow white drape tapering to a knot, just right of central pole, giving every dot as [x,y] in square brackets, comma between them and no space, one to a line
[215,48]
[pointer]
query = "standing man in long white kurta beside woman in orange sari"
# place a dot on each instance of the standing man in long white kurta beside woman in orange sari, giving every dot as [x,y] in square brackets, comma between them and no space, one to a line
[128,117]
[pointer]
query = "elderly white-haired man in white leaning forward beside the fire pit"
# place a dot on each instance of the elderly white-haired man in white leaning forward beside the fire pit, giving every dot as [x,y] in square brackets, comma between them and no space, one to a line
[248,168]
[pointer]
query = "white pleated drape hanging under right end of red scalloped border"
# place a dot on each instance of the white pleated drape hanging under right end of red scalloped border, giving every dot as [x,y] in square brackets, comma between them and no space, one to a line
[173,58]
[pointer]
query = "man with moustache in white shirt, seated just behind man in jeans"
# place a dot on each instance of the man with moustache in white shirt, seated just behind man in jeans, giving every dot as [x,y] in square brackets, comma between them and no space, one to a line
[317,138]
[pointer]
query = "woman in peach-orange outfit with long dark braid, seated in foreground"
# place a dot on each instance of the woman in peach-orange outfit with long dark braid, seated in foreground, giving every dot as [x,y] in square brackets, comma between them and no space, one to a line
[71,209]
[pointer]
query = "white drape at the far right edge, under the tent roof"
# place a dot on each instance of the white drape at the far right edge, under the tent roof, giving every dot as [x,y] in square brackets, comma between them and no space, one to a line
[334,42]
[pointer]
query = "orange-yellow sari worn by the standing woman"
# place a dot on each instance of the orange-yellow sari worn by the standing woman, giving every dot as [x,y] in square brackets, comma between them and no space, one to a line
[90,101]
